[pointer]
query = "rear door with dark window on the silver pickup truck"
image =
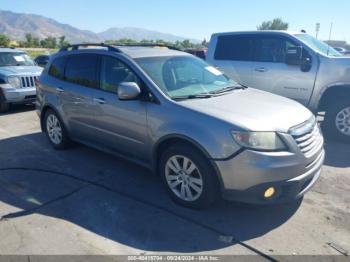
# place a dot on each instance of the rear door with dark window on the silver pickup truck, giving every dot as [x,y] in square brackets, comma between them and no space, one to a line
[233,55]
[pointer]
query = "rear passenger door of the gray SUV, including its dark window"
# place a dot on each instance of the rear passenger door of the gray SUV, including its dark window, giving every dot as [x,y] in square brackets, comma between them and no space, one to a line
[78,93]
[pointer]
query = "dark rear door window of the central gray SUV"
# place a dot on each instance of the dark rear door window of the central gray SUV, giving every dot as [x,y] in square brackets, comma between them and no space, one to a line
[83,70]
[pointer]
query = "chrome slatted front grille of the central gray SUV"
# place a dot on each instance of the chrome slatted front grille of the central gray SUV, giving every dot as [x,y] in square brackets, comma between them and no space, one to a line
[308,137]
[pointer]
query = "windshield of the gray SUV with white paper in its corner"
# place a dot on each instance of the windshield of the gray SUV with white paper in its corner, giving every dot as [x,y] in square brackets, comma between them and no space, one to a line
[181,76]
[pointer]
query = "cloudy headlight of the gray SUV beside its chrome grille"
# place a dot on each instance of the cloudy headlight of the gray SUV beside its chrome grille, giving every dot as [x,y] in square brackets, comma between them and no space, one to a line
[268,141]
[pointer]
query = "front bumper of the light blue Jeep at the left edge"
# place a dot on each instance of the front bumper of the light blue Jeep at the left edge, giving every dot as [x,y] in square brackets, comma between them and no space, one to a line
[18,95]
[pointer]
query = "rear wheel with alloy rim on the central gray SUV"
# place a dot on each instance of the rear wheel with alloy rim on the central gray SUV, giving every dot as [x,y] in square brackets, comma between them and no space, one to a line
[55,130]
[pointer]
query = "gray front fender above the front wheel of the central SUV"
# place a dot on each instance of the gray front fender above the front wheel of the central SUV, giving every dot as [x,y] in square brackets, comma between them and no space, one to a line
[172,120]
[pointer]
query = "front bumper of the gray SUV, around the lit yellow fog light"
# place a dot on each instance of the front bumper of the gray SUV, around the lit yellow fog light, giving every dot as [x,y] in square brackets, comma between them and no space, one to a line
[246,176]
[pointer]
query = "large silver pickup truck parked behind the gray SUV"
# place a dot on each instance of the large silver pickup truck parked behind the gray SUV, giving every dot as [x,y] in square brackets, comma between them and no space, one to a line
[295,65]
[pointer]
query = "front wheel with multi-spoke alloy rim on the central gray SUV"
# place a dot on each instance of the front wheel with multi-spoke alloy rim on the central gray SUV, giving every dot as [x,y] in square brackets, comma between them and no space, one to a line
[203,194]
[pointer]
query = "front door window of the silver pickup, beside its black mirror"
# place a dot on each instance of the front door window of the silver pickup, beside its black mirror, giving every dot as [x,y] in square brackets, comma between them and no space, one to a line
[272,49]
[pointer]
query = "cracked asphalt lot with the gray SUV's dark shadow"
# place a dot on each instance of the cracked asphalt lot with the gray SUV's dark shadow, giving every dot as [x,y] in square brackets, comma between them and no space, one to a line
[82,201]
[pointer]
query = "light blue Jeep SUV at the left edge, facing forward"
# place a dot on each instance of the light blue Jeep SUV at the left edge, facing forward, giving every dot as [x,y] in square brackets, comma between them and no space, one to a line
[18,74]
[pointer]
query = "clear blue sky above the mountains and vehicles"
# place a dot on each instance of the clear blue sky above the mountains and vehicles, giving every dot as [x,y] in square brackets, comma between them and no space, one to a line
[192,18]
